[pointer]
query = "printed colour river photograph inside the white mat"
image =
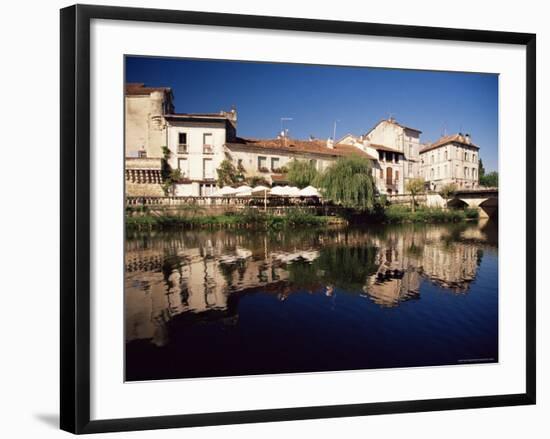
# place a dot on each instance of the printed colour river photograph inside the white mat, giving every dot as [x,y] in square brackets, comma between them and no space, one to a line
[295,218]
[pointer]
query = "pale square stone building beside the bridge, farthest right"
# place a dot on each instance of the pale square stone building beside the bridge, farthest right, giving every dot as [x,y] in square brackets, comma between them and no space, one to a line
[451,159]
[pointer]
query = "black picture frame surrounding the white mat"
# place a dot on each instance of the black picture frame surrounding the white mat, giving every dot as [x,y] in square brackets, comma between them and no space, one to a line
[75,217]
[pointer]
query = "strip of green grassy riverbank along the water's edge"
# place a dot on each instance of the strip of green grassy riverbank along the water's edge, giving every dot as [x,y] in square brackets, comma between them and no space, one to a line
[255,218]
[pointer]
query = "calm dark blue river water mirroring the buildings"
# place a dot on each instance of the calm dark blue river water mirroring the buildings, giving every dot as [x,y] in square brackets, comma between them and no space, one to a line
[224,303]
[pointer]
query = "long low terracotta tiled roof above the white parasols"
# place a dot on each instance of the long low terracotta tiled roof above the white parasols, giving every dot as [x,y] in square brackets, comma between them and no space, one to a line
[304,146]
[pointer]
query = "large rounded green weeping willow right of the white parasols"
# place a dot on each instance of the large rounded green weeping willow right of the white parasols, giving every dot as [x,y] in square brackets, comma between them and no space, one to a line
[349,182]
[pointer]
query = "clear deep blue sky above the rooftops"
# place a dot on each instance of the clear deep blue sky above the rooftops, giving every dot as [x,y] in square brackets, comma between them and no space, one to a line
[316,96]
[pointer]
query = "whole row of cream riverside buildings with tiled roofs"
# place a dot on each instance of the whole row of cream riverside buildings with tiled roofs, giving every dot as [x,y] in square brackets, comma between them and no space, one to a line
[198,143]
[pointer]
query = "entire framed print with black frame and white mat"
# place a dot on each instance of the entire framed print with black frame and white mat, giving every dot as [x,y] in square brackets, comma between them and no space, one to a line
[268,218]
